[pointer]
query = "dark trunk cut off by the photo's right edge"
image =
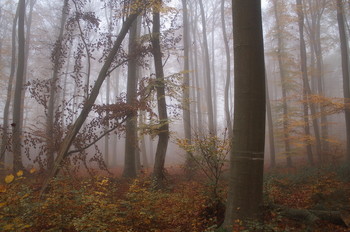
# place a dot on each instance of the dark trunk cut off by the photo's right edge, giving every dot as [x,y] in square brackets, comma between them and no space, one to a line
[345,71]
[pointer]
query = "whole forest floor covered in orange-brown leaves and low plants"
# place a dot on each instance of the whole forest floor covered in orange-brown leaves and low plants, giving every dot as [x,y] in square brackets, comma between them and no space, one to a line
[306,199]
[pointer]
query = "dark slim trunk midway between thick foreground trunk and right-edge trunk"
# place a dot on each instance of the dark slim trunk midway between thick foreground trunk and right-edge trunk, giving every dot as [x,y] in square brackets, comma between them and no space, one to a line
[303,68]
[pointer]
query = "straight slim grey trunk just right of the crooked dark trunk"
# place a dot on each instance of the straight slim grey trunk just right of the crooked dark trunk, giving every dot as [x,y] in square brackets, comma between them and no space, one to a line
[186,89]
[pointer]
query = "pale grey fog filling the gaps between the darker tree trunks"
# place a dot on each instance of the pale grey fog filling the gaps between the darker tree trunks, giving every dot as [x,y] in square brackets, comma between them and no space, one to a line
[66,61]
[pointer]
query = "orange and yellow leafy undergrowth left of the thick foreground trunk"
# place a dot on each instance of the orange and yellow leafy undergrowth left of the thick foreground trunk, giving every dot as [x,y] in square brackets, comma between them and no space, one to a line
[102,204]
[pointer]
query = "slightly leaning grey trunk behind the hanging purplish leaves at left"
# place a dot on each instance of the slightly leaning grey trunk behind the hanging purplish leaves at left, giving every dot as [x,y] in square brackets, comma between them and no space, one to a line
[57,64]
